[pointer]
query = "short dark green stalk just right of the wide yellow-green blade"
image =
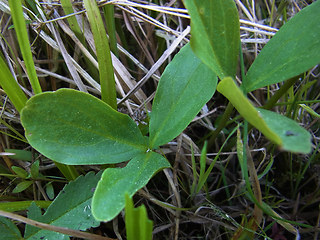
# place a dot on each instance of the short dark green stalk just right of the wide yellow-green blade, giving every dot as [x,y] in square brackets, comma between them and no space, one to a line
[108,11]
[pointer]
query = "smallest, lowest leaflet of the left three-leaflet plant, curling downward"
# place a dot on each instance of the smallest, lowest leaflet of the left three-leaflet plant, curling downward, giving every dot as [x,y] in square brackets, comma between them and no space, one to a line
[109,197]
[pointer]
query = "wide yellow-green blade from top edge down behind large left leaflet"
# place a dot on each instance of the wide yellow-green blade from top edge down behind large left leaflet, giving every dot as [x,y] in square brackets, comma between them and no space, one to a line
[107,81]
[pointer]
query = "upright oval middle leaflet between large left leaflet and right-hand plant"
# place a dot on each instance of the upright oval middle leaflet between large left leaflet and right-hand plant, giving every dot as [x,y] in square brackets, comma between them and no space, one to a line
[185,86]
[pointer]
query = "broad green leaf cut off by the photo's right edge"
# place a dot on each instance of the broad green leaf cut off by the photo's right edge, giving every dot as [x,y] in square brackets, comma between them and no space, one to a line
[293,50]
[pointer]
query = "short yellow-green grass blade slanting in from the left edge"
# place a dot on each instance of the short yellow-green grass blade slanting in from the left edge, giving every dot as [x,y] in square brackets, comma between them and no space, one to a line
[11,87]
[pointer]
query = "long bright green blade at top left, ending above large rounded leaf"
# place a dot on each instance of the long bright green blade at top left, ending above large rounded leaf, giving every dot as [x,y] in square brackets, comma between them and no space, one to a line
[23,40]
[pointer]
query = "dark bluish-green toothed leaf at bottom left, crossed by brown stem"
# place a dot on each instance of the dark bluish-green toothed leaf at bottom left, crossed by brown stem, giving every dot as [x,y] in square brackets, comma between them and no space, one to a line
[71,209]
